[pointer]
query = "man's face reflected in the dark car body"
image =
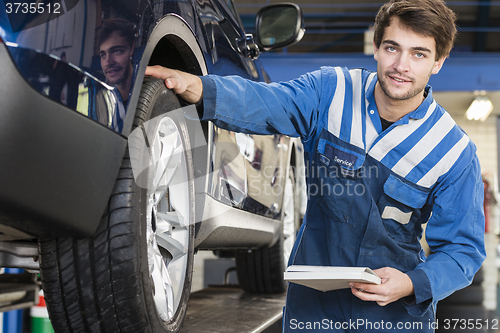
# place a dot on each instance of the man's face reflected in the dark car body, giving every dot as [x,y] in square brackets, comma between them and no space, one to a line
[115,55]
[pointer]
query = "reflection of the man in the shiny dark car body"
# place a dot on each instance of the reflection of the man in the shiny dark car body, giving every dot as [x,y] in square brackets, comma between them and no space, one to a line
[116,47]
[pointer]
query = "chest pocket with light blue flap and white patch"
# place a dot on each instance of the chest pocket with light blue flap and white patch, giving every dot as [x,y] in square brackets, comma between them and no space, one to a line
[399,207]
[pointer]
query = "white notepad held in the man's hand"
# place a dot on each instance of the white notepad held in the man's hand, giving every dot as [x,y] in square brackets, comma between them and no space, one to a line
[326,278]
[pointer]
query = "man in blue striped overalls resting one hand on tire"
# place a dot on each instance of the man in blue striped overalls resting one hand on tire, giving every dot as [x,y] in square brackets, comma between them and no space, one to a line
[383,158]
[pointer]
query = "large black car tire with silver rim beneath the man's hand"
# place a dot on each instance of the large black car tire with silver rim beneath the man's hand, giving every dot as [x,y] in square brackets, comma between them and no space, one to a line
[134,274]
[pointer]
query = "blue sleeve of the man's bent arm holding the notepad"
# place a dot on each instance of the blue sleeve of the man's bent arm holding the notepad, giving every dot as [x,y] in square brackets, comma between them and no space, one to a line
[455,230]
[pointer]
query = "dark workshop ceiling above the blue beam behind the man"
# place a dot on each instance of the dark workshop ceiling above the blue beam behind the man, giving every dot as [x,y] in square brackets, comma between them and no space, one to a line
[339,26]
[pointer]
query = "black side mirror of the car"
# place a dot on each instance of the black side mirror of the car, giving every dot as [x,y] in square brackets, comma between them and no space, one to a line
[278,26]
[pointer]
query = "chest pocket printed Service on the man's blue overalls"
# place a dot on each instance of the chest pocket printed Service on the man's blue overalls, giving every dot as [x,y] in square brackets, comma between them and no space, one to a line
[338,179]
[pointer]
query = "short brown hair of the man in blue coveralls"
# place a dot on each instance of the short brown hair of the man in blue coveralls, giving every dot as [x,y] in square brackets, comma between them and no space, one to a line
[430,18]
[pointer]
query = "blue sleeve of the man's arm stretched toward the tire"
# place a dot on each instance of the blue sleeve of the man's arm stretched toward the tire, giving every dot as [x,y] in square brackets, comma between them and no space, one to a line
[240,105]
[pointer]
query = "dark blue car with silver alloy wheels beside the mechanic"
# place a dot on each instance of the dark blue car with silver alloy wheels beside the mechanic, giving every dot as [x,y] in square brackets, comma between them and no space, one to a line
[115,255]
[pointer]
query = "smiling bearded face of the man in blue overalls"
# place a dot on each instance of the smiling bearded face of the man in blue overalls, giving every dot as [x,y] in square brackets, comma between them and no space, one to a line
[405,62]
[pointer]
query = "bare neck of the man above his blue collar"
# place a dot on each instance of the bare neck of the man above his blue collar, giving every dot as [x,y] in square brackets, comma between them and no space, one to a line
[393,109]
